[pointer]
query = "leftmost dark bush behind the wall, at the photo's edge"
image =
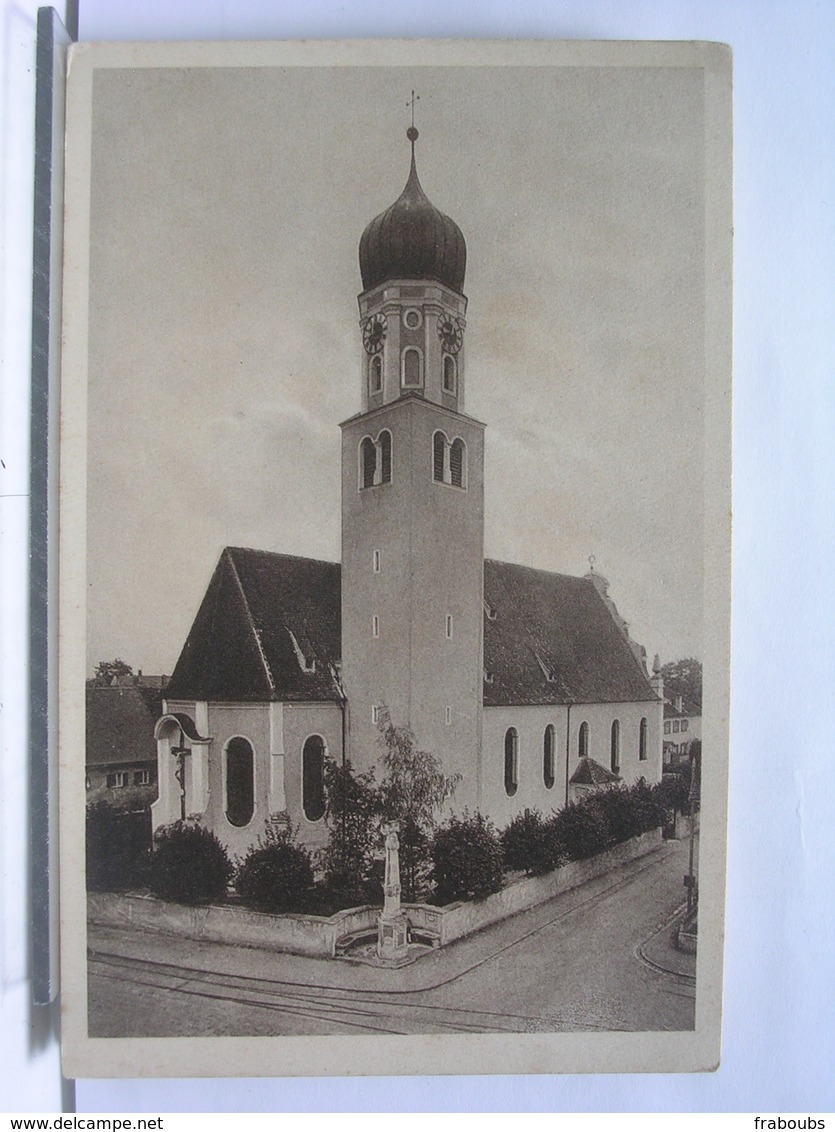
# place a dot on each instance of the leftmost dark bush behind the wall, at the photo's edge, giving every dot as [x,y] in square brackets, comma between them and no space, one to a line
[118,848]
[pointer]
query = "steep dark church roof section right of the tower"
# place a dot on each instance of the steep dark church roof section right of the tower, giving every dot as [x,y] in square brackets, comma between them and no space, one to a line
[553,639]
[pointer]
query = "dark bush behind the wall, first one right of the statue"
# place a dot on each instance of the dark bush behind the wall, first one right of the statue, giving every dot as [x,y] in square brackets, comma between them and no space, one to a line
[467,860]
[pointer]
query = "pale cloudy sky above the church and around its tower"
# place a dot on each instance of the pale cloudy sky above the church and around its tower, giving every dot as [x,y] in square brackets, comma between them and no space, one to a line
[225,345]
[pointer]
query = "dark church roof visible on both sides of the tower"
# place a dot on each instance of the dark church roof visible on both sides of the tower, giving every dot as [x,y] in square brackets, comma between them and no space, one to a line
[270,629]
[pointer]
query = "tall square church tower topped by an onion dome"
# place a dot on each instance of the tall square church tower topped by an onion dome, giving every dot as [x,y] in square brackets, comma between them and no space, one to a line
[414,499]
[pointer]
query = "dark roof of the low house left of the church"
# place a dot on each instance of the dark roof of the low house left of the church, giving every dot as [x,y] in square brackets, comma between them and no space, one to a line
[120,725]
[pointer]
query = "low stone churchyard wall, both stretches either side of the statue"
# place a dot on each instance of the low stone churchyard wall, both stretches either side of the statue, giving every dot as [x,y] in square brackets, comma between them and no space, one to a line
[317,936]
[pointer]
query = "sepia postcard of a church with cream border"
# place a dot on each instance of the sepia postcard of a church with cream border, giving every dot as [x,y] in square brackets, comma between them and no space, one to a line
[395,558]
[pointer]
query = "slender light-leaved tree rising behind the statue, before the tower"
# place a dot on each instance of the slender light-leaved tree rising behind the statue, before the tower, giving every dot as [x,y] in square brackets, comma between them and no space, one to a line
[412,795]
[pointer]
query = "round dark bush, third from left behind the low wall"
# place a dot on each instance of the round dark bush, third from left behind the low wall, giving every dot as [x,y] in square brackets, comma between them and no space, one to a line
[277,876]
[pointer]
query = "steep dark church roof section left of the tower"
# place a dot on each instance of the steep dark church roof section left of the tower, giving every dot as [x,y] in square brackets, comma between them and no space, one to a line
[269,629]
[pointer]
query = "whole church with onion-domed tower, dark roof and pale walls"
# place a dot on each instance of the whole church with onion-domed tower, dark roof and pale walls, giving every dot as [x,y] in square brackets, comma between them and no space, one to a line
[524,682]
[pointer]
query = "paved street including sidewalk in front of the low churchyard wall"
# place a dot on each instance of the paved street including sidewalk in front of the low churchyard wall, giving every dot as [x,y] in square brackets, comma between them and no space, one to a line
[590,961]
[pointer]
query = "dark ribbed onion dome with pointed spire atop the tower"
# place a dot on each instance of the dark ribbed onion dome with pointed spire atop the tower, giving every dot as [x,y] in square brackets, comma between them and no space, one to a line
[412,239]
